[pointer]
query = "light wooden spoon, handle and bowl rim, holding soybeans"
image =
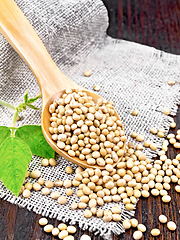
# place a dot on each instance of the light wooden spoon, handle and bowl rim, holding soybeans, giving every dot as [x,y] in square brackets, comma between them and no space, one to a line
[23,38]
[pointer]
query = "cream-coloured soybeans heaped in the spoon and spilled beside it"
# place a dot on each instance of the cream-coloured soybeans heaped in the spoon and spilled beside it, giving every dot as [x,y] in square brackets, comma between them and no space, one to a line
[93,132]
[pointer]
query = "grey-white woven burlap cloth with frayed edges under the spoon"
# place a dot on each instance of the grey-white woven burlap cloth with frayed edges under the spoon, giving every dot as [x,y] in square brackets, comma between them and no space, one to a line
[131,75]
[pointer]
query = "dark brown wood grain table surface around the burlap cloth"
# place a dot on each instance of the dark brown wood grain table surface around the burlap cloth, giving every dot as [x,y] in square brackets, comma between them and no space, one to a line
[150,22]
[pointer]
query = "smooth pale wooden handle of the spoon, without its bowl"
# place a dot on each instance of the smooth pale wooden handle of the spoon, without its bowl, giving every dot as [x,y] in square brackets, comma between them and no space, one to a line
[23,38]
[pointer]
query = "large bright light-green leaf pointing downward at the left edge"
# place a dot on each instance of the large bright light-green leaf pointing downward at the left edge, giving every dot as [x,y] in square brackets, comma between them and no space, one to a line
[14,158]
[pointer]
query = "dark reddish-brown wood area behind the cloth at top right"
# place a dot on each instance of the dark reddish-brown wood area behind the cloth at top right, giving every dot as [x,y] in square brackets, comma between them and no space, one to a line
[154,23]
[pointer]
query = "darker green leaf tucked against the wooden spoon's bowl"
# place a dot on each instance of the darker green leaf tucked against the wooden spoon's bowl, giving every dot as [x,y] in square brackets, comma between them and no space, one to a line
[33,136]
